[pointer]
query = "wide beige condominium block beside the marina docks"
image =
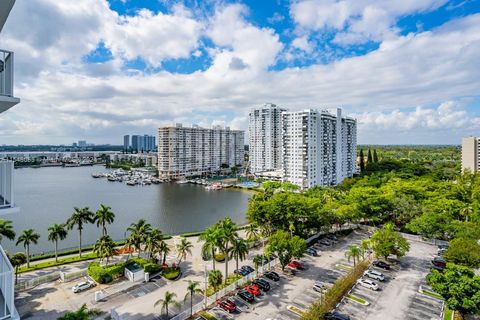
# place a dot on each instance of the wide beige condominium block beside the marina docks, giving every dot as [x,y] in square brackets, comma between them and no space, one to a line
[195,151]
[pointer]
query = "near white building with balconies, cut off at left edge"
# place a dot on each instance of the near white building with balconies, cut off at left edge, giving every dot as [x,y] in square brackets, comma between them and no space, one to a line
[7,204]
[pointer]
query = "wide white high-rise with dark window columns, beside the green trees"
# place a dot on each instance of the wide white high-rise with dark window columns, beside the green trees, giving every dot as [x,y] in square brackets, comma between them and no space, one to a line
[319,148]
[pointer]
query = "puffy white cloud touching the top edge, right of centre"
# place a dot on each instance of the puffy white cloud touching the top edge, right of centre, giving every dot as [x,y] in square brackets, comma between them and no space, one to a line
[357,20]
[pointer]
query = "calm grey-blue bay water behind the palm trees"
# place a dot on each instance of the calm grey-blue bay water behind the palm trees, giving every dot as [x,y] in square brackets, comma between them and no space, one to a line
[47,196]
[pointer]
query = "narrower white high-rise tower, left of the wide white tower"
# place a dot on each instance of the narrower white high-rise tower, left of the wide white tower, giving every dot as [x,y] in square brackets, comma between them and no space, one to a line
[265,138]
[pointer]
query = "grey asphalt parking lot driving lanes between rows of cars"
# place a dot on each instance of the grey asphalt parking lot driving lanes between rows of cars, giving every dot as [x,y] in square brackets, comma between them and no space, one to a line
[397,297]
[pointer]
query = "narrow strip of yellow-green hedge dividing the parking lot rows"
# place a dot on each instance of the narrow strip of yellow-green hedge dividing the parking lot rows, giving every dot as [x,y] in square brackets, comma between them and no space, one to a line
[335,294]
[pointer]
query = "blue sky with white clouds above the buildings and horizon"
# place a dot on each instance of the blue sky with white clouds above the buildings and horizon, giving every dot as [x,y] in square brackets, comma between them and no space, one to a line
[96,70]
